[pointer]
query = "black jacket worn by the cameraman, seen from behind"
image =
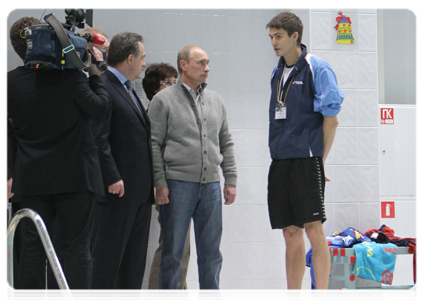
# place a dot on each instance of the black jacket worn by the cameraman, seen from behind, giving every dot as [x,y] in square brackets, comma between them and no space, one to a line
[50,109]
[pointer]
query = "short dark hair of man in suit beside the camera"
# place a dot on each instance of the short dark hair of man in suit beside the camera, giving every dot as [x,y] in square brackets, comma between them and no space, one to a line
[122,45]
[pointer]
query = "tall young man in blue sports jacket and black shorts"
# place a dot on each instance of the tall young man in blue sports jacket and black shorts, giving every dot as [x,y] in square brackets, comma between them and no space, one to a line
[304,102]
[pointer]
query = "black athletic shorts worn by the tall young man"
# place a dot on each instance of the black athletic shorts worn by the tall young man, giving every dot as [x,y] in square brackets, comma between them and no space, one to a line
[296,192]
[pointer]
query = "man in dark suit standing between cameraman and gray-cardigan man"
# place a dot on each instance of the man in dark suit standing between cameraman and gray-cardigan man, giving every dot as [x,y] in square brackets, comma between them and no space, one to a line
[122,217]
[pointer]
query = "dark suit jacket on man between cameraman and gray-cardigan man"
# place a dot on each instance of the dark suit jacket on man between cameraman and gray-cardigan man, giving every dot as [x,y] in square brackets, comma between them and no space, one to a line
[124,146]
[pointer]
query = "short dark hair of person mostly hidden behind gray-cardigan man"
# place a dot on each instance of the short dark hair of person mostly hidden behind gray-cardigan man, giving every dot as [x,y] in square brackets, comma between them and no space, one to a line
[153,75]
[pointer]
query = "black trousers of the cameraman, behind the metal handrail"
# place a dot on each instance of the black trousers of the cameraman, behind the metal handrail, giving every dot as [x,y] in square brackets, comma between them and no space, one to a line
[75,211]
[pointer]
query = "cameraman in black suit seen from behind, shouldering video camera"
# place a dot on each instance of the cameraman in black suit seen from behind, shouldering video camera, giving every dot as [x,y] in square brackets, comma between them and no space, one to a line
[56,164]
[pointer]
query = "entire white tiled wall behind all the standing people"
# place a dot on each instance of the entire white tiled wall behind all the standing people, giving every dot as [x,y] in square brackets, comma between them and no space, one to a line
[241,62]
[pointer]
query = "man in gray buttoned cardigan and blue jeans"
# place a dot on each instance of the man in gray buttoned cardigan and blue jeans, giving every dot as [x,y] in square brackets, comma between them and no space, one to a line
[190,140]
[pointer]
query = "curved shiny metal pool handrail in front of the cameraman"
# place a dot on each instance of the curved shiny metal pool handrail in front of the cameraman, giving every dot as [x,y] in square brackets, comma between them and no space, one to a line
[48,246]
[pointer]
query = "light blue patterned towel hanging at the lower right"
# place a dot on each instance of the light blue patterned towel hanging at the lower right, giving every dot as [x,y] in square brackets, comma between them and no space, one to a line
[375,261]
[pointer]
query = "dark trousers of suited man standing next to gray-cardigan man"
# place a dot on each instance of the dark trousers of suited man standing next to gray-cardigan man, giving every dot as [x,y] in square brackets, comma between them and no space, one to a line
[119,249]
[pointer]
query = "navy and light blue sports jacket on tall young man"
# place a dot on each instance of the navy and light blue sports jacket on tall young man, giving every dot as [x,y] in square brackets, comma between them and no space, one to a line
[312,93]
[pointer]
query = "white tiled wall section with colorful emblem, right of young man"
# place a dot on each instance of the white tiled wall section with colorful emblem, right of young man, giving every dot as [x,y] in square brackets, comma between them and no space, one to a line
[355,183]
